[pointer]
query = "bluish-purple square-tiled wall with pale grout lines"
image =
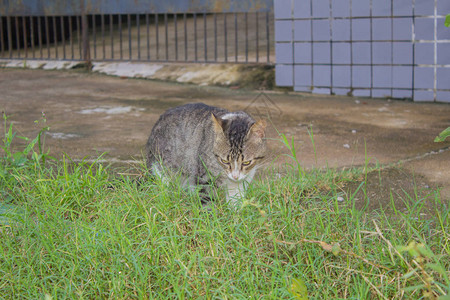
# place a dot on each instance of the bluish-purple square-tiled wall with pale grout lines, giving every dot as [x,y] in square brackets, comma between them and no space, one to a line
[376,48]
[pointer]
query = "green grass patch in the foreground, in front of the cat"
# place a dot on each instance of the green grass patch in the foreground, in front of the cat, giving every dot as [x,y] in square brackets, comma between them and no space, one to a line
[79,230]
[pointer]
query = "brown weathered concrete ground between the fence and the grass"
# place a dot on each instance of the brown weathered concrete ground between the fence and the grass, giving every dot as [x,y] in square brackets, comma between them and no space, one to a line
[90,114]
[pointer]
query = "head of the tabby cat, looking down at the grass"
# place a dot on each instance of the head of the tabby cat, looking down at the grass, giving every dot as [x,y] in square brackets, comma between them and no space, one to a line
[239,144]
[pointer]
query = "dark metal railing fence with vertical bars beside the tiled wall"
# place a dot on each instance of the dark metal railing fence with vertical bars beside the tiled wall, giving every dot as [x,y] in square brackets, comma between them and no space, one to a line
[137,31]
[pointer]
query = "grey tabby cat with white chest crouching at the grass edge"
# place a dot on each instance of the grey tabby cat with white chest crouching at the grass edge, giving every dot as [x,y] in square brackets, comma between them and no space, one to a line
[209,146]
